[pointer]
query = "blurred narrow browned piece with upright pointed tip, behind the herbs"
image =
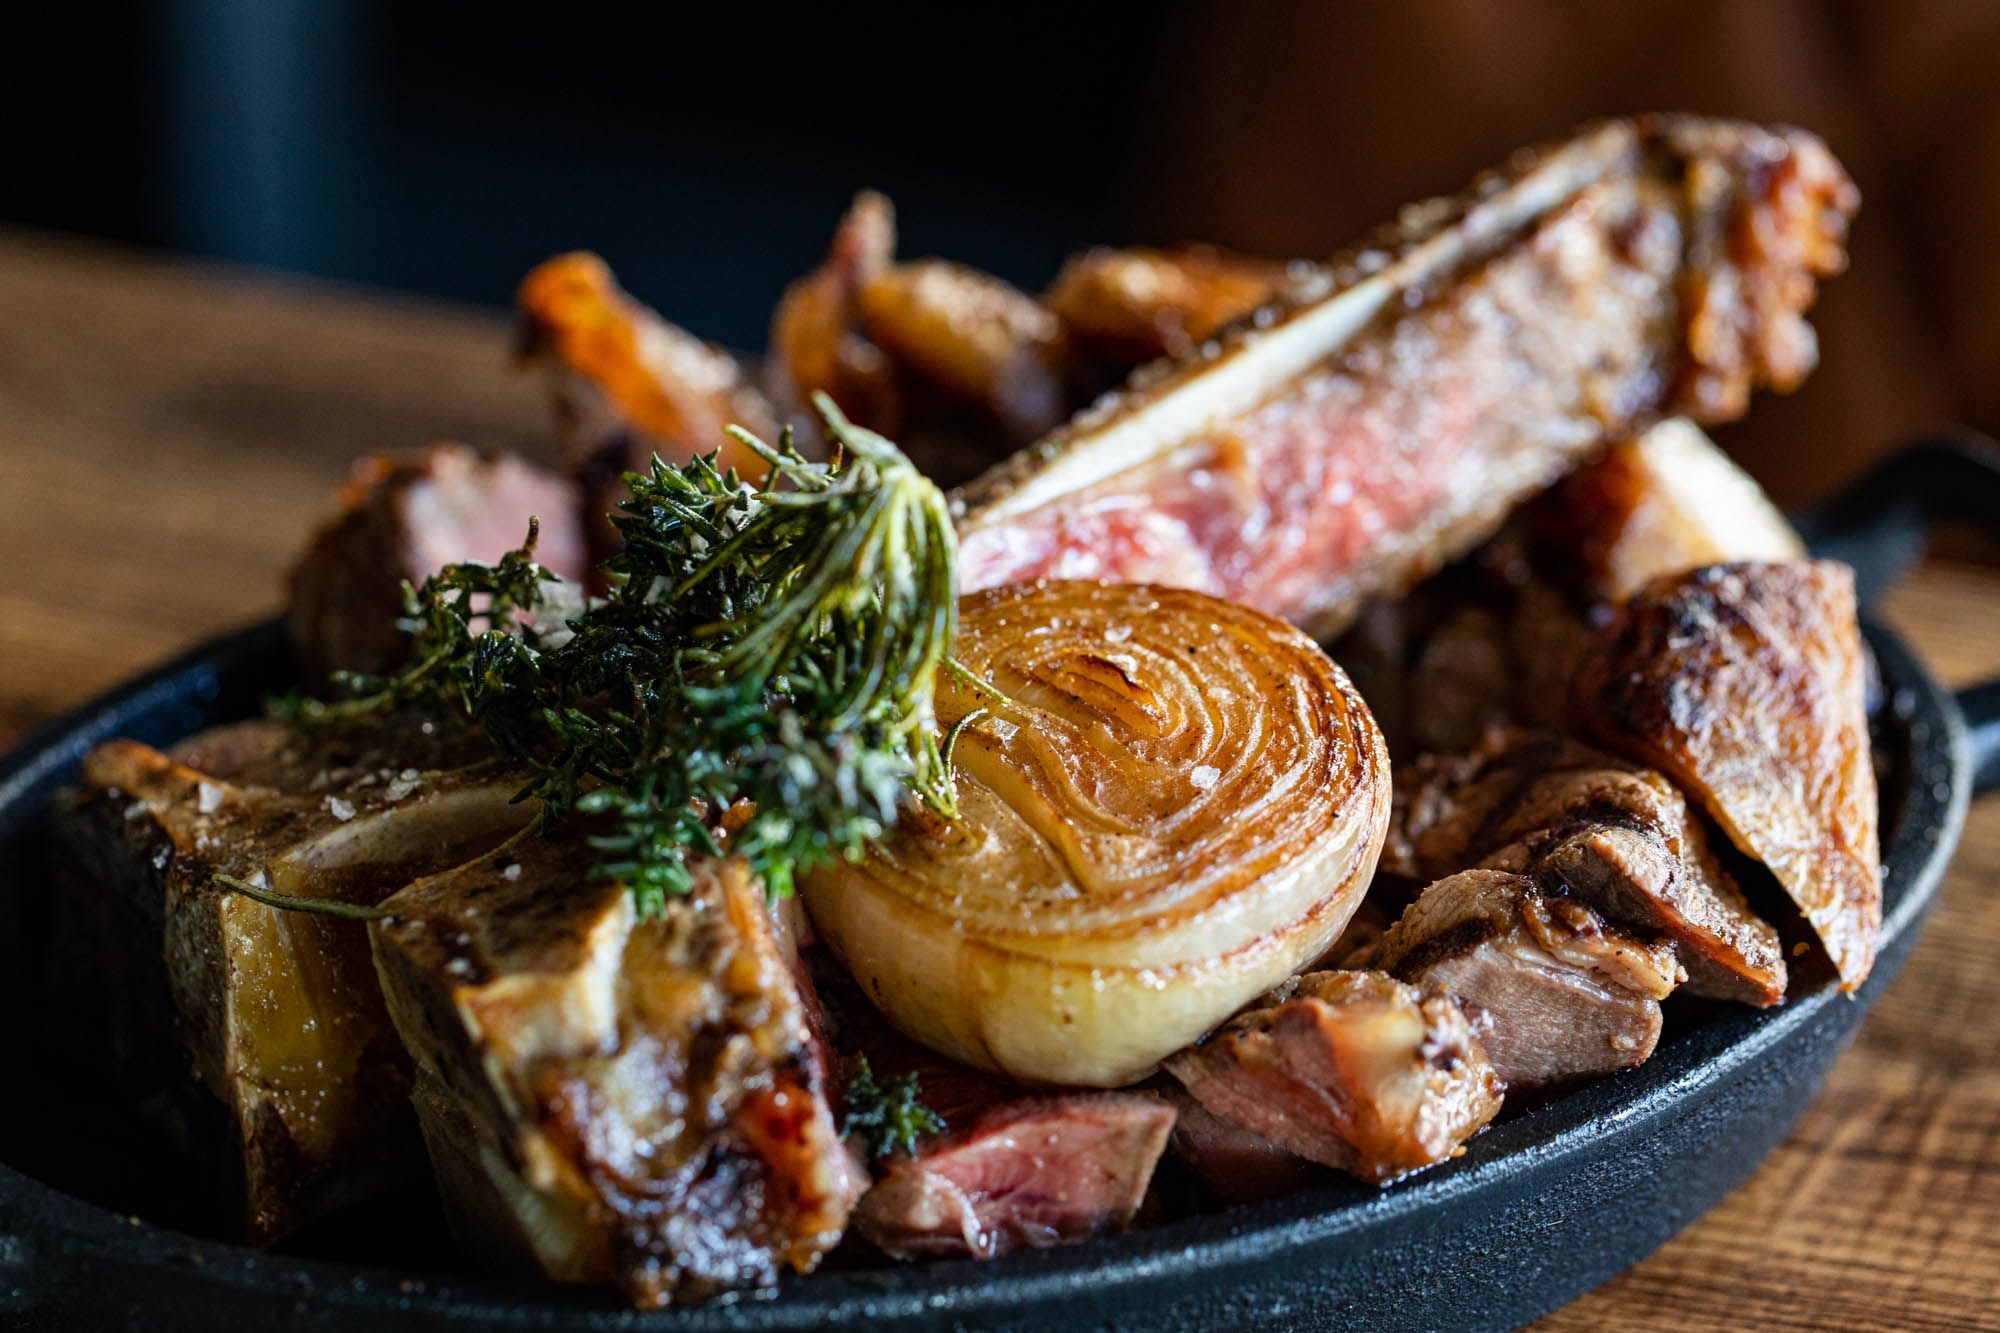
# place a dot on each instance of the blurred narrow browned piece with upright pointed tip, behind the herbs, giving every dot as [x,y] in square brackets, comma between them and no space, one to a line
[815,345]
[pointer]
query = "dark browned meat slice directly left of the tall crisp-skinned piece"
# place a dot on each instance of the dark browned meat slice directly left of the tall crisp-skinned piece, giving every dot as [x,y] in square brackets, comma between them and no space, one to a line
[1595,828]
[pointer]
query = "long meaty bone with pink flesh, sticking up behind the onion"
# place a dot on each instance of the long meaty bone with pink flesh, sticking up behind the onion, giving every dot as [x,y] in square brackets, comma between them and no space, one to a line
[1387,415]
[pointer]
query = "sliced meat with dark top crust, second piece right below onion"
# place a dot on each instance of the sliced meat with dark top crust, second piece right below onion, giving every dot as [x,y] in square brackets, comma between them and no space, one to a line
[1569,996]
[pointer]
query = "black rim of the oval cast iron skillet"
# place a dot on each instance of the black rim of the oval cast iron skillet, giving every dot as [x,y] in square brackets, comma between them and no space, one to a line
[57,1228]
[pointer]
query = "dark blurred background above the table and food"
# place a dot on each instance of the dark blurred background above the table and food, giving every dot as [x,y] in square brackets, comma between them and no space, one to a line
[707,155]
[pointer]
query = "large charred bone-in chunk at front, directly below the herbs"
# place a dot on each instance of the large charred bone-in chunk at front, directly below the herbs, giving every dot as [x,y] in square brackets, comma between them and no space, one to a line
[621,1100]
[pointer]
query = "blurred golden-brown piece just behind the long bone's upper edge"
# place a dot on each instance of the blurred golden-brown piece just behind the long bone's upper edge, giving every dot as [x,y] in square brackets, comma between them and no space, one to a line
[1137,305]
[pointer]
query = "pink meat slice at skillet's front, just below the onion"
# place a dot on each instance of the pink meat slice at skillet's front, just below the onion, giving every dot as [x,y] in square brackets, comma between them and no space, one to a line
[1013,1168]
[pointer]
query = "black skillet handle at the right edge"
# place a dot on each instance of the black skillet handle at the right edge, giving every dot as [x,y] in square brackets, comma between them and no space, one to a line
[1883,523]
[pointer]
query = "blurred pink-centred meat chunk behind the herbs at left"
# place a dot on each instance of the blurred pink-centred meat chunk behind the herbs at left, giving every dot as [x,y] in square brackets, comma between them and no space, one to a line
[405,519]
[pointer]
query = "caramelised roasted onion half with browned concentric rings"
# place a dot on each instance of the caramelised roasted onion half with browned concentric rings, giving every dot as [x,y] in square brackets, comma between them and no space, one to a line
[1175,810]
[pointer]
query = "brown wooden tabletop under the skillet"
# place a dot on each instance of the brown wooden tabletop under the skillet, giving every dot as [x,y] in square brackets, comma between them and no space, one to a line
[167,435]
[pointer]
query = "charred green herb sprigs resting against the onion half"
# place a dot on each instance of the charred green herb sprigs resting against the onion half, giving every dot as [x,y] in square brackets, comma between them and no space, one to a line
[759,678]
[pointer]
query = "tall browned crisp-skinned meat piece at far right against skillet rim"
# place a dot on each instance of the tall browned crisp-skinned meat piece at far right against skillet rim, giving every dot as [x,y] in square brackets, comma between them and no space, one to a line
[1745,686]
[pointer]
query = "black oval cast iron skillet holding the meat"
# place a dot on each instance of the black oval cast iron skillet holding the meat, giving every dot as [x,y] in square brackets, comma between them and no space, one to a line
[1541,1208]
